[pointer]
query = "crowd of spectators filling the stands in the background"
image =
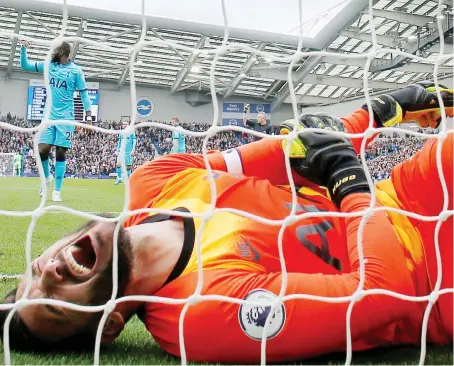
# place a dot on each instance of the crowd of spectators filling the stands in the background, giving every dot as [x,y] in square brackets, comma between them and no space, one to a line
[93,153]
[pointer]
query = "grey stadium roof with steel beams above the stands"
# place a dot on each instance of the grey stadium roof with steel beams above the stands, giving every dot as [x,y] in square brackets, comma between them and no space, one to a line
[408,25]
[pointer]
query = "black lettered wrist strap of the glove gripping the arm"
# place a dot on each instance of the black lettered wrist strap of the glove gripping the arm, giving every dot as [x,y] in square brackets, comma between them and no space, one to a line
[346,181]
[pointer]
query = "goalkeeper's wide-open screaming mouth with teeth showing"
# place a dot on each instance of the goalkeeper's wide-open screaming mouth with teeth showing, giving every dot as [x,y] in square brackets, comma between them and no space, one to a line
[81,256]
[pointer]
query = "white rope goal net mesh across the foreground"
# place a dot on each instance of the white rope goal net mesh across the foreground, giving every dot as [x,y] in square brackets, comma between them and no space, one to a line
[224,48]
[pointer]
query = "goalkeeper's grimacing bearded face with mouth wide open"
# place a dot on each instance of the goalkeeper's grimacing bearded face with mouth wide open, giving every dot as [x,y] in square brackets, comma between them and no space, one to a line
[76,269]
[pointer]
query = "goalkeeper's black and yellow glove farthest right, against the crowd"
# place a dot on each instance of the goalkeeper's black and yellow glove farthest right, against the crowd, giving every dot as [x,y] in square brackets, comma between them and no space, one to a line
[414,103]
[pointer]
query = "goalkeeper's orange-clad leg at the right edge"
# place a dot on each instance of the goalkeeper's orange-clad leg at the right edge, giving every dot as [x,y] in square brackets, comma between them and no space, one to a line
[418,187]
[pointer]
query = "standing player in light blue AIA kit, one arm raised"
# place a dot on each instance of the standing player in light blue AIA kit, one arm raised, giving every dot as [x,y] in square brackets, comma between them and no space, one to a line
[65,77]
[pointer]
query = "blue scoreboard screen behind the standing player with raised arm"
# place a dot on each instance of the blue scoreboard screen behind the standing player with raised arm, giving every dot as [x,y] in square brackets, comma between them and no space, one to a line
[36,101]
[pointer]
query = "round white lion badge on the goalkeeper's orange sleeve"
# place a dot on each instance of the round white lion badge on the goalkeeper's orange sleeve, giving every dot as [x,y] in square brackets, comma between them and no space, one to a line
[252,318]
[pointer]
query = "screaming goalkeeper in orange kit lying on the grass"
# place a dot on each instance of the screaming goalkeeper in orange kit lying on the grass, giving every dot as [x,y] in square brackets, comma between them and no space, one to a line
[240,256]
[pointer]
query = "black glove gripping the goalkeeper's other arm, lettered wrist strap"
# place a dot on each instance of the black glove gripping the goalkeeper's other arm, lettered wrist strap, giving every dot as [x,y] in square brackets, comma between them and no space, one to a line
[325,159]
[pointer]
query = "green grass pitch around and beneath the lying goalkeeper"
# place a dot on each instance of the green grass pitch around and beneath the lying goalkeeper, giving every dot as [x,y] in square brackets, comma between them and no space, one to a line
[135,346]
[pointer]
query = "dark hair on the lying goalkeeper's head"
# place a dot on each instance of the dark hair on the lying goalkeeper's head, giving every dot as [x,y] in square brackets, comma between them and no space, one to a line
[22,339]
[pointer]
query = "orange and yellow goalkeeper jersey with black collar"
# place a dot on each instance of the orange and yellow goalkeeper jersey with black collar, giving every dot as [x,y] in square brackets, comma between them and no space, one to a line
[240,259]
